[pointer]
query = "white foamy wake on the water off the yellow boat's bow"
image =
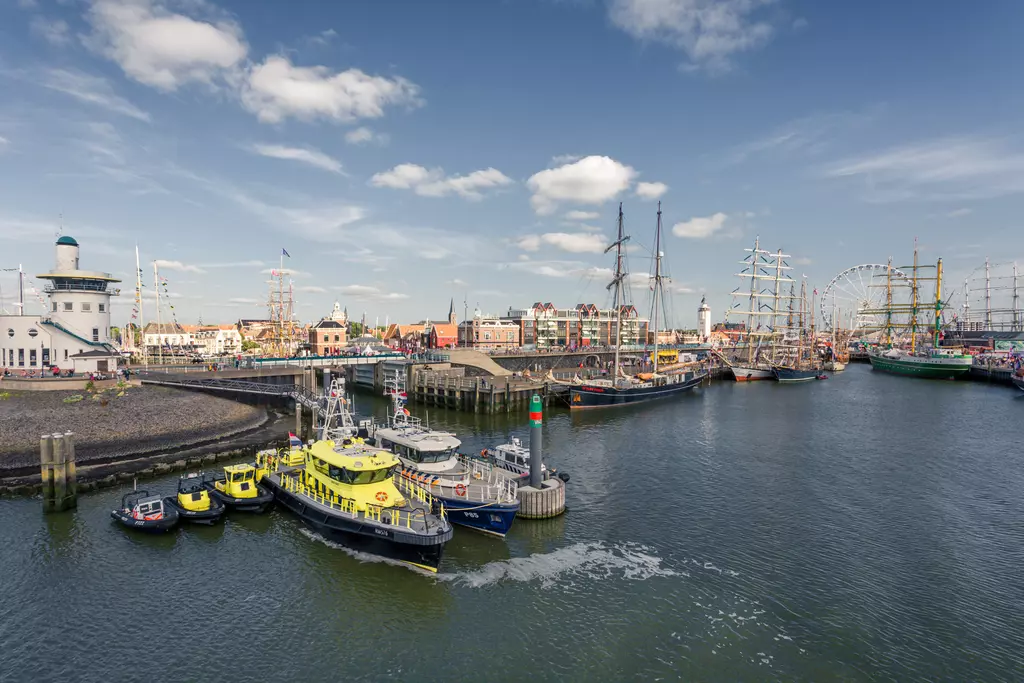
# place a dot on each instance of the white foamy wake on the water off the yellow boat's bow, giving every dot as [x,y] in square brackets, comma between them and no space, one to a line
[591,561]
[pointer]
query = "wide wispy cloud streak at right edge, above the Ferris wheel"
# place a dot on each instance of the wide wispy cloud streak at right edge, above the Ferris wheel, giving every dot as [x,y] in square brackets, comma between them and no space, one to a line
[948,169]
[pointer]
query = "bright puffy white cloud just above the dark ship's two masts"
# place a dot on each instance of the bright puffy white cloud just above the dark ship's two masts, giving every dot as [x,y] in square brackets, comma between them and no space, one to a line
[590,181]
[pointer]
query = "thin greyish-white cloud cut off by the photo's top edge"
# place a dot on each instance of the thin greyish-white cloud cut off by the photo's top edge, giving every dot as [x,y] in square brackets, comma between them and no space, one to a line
[710,32]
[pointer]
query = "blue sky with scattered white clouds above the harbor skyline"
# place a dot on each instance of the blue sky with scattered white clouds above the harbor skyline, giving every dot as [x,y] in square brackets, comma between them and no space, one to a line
[406,153]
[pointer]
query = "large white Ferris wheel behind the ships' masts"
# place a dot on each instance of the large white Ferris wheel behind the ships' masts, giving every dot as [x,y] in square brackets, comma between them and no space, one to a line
[856,297]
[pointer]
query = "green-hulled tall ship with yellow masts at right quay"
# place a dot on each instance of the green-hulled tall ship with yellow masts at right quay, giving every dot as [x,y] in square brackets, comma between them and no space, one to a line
[901,353]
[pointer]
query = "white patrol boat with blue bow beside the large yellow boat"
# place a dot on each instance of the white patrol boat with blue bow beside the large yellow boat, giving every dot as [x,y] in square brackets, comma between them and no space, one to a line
[474,494]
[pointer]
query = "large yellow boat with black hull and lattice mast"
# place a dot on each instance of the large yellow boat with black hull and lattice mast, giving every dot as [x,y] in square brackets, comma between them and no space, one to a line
[352,493]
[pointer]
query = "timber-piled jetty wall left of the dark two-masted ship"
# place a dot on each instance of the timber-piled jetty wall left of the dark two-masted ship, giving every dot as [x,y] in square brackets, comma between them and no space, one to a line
[475,395]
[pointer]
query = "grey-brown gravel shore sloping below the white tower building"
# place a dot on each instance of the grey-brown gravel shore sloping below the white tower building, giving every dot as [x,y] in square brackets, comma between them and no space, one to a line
[145,420]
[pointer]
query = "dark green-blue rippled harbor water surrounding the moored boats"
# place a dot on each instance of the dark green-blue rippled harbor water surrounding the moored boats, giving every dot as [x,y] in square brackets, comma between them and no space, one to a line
[868,528]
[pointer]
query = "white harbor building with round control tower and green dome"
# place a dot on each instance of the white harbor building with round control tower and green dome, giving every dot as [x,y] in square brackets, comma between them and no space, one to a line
[75,333]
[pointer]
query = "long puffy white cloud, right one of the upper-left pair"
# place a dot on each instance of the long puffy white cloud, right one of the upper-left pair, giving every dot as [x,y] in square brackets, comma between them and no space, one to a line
[276,90]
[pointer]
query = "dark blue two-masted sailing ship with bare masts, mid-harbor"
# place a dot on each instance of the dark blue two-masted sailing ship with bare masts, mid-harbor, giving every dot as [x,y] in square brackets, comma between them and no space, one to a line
[623,391]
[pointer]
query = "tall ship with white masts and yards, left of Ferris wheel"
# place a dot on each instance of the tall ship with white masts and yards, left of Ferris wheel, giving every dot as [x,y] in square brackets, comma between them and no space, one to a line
[763,332]
